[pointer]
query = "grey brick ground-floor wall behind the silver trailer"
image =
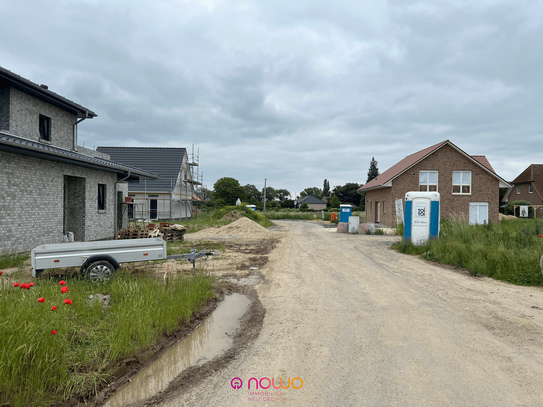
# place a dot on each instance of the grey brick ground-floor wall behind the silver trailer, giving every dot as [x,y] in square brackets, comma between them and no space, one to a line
[32,202]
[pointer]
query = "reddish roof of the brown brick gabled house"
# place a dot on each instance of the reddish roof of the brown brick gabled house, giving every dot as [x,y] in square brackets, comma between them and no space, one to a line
[384,179]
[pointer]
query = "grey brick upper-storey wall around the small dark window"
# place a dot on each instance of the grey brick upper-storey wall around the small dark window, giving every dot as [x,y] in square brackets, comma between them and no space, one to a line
[24,119]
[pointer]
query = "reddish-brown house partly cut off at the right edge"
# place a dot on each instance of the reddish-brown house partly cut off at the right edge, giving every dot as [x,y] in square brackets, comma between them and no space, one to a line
[528,186]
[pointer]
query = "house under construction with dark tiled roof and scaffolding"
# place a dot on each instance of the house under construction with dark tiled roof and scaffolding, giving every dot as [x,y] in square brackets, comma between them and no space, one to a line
[171,196]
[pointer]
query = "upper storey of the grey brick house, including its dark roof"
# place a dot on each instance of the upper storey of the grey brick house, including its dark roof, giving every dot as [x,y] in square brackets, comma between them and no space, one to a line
[33,112]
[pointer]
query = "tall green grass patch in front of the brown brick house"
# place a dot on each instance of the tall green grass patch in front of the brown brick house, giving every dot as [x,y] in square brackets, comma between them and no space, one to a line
[509,251]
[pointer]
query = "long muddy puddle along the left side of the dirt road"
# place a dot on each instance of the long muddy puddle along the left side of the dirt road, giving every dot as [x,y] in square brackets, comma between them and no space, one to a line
[210,339]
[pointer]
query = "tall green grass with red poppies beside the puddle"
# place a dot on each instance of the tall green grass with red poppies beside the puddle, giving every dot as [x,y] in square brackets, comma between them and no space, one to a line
[37,367]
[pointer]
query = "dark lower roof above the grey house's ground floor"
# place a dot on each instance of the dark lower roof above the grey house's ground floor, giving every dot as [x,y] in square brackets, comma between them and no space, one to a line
[18,145]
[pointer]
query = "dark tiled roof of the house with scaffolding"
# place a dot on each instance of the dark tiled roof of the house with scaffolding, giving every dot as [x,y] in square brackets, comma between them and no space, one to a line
[164,161]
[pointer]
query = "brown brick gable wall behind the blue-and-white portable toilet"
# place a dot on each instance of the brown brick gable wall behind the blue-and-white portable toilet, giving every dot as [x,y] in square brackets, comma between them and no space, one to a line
[484,187]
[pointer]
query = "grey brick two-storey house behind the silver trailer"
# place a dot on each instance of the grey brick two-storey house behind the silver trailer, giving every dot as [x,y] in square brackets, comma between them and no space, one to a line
[49,185]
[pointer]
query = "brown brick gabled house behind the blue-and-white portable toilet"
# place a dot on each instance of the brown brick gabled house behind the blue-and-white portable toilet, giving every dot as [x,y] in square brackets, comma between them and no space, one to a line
[468,185]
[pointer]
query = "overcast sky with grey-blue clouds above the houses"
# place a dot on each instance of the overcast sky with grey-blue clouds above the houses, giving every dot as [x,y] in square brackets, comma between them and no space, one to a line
[294,92]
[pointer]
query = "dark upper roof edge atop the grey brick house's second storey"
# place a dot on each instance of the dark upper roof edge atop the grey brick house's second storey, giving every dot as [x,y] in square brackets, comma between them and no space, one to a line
[42,92]
